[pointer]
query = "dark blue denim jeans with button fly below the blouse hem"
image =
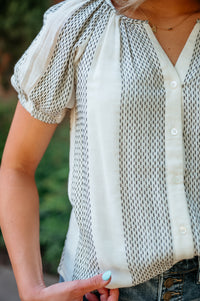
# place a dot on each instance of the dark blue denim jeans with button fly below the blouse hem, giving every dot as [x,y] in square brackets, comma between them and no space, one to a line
[180,283]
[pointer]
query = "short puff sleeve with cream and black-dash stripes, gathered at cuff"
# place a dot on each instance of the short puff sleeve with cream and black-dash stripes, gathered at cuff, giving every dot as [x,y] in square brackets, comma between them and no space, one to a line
[44,76]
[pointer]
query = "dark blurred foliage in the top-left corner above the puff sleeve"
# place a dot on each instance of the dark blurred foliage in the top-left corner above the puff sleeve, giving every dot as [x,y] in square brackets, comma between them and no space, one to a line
[20,21]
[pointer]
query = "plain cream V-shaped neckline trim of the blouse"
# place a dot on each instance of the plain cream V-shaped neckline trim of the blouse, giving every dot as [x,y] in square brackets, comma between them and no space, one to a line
[184,59]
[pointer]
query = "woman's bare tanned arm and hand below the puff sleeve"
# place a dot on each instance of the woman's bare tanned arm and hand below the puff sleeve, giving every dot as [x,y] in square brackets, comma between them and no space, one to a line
[19,213]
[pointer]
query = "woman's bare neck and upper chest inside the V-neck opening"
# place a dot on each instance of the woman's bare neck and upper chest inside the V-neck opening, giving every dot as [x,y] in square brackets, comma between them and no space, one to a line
[166,14]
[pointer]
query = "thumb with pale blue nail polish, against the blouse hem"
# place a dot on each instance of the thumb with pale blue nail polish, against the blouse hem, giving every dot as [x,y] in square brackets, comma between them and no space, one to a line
[82,287]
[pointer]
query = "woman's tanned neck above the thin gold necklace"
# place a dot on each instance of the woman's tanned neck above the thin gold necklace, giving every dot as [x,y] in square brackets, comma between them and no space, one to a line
[170,8]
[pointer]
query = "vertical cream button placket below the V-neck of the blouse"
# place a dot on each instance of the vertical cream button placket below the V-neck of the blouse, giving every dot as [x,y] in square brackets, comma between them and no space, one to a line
[175,169]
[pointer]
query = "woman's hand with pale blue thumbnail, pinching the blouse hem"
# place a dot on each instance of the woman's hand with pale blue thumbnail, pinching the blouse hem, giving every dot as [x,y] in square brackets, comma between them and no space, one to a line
[75,290]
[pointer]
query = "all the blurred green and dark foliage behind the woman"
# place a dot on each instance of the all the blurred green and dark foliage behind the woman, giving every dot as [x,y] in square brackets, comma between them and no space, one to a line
[20,21]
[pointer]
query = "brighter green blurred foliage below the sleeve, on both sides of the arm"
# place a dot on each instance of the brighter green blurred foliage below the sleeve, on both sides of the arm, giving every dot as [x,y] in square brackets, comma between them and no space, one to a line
[51,179]
